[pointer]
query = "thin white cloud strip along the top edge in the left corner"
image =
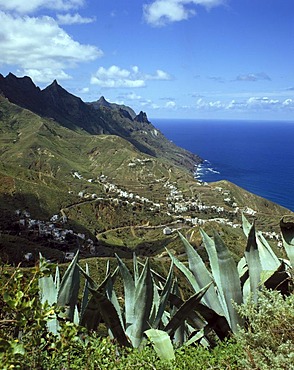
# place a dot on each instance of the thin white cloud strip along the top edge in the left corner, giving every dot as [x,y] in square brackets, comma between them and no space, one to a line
[30,6]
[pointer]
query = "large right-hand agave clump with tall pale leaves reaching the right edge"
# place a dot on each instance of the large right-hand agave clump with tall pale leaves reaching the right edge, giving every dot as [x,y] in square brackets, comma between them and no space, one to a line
[232,284]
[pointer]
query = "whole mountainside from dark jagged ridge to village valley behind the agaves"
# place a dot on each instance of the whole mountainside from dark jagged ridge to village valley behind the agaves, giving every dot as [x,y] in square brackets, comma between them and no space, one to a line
[100,178]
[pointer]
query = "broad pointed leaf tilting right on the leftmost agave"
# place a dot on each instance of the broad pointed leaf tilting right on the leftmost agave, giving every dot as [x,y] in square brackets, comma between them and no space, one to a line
[69,288]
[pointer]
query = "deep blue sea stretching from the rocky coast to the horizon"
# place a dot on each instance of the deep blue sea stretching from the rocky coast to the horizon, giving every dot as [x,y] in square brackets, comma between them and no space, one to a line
[258,156]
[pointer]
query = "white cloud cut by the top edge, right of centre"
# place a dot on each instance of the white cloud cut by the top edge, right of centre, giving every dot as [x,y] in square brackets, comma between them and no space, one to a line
[161,12]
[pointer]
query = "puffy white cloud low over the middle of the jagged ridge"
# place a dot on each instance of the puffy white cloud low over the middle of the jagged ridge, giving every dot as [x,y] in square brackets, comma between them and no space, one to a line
[115,76]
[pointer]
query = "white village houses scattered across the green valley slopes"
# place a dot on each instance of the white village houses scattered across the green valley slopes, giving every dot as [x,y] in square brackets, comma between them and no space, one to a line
[182,210]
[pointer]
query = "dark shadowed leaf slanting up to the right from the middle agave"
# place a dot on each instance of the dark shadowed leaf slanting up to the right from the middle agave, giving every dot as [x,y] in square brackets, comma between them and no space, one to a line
[183,312]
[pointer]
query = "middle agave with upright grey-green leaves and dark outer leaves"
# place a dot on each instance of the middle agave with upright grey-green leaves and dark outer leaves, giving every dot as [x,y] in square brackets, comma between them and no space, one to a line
[145,305]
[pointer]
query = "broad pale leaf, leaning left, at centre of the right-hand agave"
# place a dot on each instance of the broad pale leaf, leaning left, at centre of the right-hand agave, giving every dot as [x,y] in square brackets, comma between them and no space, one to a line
[226,277]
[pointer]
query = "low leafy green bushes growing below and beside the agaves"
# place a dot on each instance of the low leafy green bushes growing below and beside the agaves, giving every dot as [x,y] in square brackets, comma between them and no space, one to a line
[267,343]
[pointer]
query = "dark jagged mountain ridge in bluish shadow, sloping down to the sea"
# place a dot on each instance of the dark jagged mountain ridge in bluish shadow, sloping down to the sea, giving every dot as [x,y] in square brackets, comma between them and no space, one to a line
[100,117]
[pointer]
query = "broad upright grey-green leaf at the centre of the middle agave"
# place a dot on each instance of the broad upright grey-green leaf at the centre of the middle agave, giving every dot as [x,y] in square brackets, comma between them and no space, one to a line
[142,306]
